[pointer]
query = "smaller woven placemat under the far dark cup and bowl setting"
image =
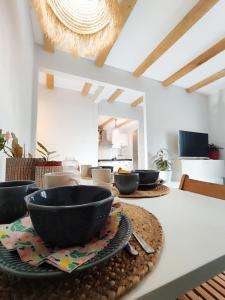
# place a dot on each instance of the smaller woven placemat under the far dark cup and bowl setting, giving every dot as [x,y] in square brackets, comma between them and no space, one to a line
[158,191]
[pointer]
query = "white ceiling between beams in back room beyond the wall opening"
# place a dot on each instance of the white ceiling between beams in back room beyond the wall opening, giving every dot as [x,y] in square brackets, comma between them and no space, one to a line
[75,83]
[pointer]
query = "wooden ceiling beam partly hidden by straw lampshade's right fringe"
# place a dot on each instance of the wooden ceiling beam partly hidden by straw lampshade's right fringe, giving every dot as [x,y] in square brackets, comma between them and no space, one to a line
[126,7]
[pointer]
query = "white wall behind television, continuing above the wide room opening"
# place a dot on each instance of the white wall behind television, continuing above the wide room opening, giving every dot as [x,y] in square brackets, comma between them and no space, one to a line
[166,110]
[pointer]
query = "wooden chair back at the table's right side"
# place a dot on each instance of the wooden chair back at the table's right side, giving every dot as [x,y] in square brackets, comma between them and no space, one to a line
[202,187]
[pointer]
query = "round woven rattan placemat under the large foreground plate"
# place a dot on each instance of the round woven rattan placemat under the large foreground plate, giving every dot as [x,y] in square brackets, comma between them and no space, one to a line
[107,281]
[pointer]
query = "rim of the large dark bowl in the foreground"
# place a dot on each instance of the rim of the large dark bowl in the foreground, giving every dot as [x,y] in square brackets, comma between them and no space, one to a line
[28,199]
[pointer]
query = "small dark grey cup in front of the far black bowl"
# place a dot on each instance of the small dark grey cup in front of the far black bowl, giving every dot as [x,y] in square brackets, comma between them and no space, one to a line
[126,183]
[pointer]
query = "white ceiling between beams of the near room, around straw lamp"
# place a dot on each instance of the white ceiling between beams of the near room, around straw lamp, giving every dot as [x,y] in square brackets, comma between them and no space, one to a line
[149,23]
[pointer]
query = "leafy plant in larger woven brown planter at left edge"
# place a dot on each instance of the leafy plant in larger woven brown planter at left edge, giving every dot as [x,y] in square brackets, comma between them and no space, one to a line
[19,165]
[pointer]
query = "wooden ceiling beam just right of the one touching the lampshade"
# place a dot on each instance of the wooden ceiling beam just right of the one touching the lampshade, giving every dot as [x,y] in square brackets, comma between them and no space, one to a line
[193,16]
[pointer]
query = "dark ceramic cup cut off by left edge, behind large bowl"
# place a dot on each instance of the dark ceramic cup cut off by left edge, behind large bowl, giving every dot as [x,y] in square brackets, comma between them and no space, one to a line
[12,204]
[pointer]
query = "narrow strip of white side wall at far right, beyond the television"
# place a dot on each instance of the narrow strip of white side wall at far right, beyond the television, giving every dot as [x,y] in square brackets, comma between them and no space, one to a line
[217,120]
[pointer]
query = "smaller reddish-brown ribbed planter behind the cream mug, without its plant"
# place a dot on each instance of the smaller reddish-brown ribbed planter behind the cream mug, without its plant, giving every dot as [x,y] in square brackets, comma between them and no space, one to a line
[44,167]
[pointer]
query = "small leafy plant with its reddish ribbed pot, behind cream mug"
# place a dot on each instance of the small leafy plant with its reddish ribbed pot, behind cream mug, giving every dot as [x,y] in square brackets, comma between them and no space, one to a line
[46,164]
